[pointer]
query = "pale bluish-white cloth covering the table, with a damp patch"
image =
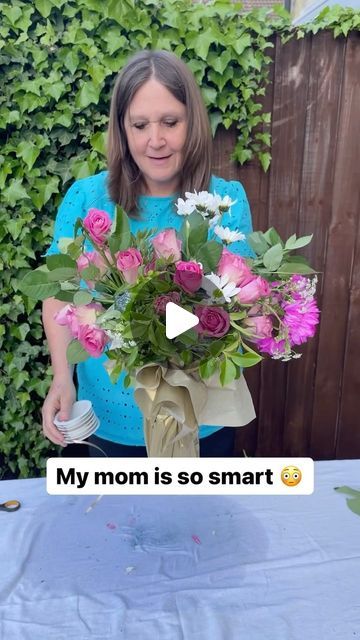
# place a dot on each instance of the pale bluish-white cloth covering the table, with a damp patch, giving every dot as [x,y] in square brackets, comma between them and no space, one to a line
[173,568]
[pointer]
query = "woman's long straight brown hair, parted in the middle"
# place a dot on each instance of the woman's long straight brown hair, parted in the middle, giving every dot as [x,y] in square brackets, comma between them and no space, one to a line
[124,180]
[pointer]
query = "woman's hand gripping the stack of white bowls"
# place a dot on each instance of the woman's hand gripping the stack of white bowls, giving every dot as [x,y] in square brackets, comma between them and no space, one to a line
[61,397]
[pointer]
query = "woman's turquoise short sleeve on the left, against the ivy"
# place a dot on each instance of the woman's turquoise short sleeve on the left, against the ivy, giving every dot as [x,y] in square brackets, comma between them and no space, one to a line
[71,208]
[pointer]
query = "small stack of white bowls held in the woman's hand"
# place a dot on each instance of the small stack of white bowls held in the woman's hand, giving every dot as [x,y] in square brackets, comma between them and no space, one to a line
[81,424]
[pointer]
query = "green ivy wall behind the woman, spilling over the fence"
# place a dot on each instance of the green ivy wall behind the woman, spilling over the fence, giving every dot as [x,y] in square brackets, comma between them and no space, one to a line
[58,64]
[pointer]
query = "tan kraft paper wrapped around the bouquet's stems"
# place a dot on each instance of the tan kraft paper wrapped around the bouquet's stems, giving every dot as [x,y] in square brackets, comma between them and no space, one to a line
[174,402]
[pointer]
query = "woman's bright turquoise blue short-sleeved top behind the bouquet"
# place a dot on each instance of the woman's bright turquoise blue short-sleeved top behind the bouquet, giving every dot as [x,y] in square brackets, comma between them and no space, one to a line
[120,418]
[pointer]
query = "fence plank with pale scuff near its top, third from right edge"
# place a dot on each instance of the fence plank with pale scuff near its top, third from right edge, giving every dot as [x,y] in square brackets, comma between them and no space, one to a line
[289,110]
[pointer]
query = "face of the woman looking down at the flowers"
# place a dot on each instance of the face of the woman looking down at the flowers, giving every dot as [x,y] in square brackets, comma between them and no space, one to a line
[155,125]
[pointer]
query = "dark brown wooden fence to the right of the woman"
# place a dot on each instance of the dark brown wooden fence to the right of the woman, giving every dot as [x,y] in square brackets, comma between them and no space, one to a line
[311,406]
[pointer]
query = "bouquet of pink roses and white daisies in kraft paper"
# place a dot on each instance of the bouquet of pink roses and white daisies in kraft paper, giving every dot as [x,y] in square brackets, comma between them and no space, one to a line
[117,284]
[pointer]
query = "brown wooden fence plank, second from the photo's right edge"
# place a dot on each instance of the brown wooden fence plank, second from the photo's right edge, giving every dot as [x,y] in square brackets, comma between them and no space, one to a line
[315,194]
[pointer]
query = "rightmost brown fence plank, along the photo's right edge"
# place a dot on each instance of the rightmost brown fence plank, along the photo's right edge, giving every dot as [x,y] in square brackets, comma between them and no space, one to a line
[338,266]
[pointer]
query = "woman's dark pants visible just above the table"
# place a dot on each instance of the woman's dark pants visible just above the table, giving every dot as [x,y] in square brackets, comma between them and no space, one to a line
[218,445]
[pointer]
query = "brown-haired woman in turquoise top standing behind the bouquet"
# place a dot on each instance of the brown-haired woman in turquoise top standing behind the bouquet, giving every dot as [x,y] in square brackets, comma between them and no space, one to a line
[159,146]
